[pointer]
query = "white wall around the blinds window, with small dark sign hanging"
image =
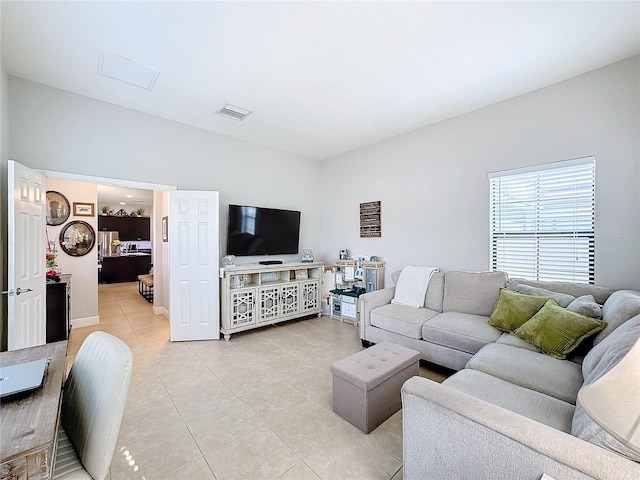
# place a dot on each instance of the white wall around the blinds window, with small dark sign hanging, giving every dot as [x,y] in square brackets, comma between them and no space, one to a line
[434,188]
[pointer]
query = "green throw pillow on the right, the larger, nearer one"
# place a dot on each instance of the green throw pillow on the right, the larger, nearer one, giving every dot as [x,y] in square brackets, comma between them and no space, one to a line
[557,331]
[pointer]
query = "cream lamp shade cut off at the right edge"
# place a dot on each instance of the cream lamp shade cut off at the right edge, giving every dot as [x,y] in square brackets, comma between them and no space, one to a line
[613,401]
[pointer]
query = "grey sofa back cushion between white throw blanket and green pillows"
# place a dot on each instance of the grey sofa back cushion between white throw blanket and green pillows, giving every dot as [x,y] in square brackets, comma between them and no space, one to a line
[472,292]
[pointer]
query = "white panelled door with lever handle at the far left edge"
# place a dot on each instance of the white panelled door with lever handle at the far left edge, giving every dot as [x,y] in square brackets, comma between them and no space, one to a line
[27,324]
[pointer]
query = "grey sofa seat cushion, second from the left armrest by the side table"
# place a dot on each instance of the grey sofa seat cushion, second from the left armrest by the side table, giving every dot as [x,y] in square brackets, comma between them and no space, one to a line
[460,331]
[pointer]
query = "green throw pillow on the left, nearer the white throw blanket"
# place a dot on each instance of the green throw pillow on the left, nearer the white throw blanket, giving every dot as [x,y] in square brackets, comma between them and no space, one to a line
[513,309]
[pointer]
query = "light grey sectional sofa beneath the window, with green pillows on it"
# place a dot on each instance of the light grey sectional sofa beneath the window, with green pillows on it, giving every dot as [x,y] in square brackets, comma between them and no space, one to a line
[510,411]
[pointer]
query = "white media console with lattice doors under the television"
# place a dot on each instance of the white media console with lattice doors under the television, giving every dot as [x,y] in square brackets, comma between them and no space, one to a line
[257,295]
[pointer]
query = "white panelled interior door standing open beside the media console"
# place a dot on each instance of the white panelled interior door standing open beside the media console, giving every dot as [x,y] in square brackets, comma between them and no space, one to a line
[194,287]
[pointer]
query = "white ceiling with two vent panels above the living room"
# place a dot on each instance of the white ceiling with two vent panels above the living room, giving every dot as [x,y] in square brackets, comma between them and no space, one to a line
[322,78]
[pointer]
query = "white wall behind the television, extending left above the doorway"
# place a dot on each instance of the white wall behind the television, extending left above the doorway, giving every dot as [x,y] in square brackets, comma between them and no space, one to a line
[59,131]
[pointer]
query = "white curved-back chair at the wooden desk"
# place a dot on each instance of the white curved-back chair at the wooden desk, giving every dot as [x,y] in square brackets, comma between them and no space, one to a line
[93,402]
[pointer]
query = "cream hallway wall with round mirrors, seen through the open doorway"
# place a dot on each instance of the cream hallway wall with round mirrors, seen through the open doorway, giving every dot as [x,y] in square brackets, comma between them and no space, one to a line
[84,269]
